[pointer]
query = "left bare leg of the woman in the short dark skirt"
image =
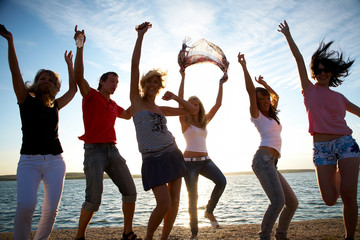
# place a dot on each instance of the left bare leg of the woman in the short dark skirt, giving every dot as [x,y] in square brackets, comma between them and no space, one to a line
[163,200]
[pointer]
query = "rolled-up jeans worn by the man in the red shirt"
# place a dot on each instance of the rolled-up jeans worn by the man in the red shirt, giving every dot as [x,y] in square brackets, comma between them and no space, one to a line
[100,158]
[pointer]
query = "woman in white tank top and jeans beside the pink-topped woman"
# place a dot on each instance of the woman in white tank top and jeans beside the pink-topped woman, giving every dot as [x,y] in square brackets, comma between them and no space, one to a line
[263,111]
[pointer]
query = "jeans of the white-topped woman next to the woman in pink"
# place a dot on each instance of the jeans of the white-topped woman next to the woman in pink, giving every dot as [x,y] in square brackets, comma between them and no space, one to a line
[282,198]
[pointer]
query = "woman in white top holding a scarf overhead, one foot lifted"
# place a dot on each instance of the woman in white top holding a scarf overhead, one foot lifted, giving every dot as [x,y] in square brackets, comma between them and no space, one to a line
[196,156]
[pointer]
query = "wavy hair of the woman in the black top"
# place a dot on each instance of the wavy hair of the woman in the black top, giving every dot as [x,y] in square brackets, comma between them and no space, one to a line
[47,97]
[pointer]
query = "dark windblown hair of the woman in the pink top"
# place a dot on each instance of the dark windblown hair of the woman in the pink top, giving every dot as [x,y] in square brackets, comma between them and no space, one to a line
[331,60]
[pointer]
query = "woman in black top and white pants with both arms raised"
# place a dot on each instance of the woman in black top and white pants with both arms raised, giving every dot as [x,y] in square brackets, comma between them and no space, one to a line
[41,149]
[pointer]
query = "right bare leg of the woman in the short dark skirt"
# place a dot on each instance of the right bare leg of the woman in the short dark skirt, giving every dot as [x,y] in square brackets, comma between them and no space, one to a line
[174,189]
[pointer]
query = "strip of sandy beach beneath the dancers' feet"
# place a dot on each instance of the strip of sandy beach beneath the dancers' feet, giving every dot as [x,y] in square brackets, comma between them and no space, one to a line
[326,229]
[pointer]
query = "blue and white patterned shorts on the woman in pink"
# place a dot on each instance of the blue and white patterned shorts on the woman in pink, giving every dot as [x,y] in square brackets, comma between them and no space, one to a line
[328,153]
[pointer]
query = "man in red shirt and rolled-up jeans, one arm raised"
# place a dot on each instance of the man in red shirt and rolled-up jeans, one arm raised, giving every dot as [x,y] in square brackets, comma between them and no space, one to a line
[101,154]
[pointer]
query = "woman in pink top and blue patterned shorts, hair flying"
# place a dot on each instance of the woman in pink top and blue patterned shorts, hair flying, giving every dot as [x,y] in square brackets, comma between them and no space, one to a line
[336,154]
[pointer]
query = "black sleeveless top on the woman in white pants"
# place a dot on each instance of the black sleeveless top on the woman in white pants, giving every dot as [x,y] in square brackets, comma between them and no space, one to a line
[39,127]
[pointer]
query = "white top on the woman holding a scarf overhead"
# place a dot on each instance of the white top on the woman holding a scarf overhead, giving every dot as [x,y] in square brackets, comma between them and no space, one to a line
[195,139]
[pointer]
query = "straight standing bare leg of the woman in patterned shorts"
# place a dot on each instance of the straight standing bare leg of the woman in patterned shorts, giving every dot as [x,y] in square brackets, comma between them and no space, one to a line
[349,170]
